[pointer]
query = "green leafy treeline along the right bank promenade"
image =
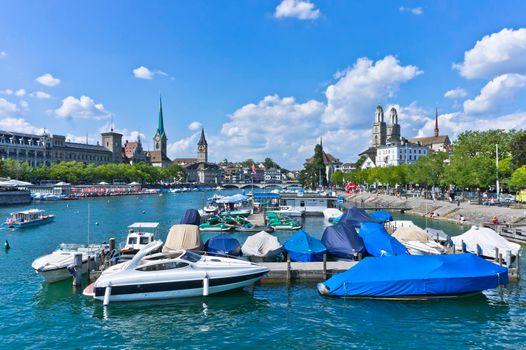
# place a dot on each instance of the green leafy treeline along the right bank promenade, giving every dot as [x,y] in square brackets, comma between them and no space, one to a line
[472,164]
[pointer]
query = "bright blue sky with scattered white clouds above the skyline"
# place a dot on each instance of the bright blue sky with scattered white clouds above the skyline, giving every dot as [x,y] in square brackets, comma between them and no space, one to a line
[265,78]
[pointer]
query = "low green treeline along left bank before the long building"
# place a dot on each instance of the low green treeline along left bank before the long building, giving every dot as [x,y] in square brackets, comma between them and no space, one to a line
[80,173]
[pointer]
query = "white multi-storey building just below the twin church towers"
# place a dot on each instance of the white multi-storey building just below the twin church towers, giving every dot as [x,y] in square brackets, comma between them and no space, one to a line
[399,153]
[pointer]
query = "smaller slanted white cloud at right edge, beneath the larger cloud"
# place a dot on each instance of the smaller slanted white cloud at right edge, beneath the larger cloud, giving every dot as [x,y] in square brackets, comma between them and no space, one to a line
[496,93]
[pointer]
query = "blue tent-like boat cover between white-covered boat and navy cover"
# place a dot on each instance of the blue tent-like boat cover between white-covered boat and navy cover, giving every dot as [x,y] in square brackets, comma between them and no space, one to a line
[303,247]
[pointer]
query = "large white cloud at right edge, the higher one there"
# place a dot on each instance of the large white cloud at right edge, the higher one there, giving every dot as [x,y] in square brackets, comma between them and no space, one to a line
[495,54]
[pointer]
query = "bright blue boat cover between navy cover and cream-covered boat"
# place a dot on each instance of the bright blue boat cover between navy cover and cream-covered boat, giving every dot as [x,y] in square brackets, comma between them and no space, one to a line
[378,242]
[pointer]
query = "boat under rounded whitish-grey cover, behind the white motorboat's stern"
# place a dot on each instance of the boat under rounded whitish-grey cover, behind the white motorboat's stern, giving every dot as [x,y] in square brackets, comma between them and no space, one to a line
[262,246]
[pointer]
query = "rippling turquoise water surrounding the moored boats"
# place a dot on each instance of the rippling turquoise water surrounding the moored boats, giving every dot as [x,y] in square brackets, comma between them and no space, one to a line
[38,315]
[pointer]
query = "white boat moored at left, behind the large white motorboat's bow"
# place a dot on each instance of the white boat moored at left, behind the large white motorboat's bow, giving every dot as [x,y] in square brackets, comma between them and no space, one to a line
[54,267]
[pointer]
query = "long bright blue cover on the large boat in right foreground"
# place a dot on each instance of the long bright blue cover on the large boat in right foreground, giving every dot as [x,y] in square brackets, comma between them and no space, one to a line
[418,275]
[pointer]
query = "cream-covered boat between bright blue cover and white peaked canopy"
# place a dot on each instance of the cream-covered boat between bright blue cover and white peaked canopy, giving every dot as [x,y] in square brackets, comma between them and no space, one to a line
[417,241]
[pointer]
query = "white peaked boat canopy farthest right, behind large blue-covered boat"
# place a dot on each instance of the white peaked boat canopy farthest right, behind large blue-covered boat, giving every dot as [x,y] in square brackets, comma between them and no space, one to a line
[487,239]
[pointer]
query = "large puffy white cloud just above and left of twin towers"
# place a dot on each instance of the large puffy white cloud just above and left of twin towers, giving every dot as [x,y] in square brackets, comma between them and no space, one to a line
[352,99]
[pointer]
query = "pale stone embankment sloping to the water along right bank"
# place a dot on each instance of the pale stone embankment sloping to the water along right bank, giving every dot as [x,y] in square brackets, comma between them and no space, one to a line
[474,214]
